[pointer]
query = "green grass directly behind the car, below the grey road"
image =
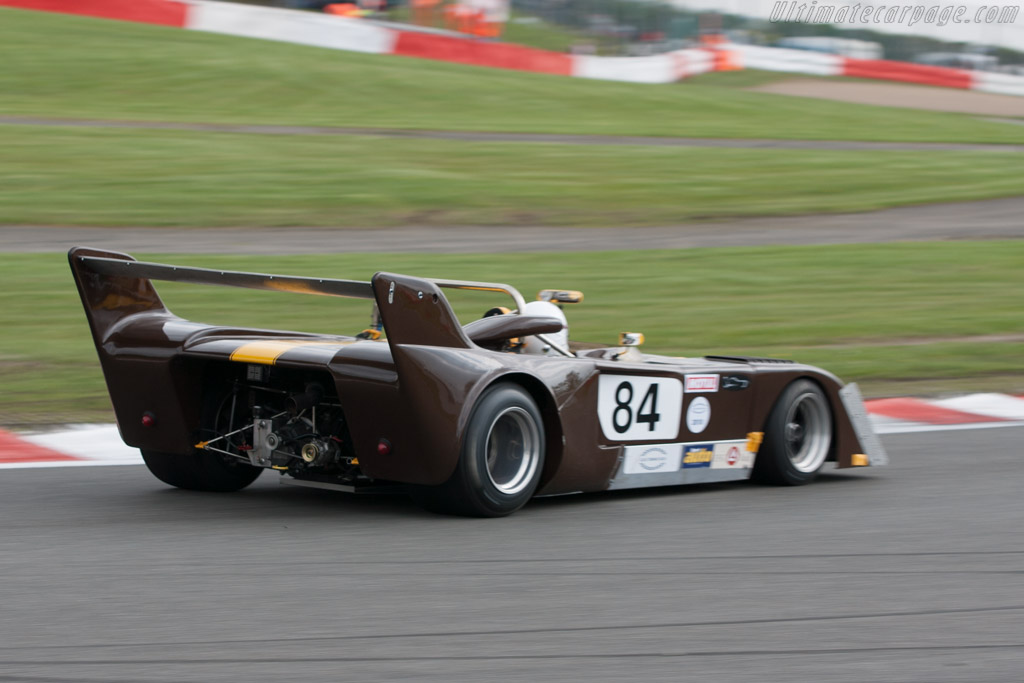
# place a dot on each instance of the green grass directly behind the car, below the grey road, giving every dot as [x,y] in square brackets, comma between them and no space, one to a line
[863,312]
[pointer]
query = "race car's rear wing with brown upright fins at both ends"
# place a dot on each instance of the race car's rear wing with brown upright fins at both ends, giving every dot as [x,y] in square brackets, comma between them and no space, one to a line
[413,311]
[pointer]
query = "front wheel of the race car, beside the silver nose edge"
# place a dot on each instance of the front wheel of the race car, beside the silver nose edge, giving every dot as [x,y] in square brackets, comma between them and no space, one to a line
[798,437]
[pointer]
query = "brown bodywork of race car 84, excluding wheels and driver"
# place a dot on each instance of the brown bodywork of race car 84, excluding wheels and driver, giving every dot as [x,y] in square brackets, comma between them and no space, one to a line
[613,419]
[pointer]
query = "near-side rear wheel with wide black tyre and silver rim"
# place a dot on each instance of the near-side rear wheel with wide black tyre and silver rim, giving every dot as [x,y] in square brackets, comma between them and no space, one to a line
[501,460]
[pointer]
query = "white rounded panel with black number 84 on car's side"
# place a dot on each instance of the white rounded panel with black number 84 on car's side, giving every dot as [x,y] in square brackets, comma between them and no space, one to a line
[633,408]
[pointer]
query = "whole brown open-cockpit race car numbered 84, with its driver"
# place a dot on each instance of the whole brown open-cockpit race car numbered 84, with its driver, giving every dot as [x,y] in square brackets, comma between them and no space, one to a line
[473,419]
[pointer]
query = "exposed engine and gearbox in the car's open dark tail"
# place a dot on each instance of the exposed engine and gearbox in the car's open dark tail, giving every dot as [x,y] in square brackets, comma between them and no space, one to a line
[289,423]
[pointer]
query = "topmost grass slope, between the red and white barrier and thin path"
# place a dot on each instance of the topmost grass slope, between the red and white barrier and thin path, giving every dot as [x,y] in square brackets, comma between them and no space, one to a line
[58,66]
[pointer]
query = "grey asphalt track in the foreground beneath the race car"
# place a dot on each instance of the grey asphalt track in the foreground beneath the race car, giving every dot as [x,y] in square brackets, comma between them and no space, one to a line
[911,573]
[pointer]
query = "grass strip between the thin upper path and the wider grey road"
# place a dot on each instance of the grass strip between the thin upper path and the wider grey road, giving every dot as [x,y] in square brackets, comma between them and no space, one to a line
[134,178]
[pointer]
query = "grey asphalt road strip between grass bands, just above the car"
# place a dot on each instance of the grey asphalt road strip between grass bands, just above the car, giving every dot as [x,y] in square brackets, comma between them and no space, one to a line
[994,220]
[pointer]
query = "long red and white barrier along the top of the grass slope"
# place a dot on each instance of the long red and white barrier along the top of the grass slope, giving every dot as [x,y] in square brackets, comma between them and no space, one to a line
[362,36]
